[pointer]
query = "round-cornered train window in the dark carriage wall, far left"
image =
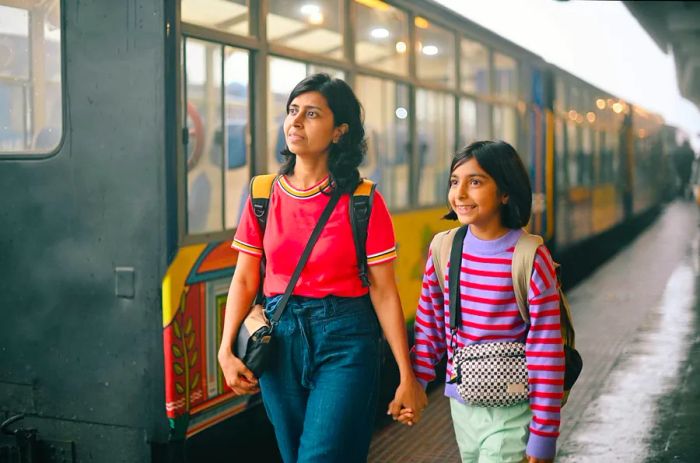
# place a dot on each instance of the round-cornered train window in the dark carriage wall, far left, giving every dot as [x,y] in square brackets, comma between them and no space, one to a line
[31,103]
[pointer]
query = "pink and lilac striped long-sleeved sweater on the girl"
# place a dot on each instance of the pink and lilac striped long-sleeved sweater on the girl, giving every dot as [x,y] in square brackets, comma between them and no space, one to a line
[489,314]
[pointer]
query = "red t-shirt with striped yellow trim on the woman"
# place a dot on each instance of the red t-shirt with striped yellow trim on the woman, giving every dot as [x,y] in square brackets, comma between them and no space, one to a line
[332,265]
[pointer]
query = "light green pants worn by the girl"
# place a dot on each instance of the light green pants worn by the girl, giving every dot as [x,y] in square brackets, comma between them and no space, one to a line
[491,434]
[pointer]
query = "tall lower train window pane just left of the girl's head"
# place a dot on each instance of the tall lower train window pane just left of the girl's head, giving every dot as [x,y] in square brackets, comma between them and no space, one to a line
[436,144]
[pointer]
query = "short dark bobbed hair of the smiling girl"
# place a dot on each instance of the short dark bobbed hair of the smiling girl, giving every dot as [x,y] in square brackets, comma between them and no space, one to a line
[503,164]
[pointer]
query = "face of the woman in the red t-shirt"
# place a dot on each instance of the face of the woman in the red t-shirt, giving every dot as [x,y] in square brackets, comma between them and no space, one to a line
[309,127]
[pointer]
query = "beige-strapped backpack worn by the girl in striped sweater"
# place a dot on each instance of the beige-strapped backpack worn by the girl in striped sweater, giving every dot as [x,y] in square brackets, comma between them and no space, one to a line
[521,271]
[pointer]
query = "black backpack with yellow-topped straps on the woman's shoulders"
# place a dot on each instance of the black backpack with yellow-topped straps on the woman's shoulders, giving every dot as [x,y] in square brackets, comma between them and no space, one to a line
[359,211]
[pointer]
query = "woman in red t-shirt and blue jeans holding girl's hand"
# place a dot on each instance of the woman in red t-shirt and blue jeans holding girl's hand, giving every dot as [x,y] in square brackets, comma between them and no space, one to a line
[321,390]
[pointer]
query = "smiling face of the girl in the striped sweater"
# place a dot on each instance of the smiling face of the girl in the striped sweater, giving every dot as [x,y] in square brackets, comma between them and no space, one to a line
[475,198]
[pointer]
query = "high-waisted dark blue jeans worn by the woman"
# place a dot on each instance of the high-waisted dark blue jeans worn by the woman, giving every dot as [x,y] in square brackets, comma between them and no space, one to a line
[320,391]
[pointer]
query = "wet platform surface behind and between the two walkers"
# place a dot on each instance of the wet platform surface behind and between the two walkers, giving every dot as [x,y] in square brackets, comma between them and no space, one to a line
[637,321]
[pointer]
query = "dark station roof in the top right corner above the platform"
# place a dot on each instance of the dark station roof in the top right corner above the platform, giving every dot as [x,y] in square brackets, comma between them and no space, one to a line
[675,27]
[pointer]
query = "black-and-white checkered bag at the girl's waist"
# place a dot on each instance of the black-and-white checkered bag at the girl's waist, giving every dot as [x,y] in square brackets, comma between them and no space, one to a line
[491,374]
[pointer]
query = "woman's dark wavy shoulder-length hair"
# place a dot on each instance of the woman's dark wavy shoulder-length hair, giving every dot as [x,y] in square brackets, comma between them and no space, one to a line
[345,156]
